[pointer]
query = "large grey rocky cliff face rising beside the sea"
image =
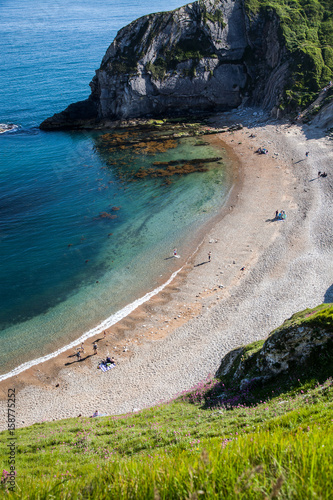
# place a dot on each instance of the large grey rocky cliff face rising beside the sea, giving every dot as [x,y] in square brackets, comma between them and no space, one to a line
[205,56]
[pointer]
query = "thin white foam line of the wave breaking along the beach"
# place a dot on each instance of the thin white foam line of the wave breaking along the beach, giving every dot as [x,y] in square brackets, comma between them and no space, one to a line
[107,323]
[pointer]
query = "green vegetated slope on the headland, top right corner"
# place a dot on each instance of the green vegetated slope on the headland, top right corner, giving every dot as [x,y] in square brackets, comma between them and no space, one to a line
[307,26]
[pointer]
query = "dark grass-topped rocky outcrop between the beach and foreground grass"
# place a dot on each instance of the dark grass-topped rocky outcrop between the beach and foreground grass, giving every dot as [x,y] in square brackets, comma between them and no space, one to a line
[302,343]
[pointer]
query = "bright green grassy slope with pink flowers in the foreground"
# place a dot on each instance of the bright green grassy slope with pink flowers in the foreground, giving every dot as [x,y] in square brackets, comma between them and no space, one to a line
[271,442]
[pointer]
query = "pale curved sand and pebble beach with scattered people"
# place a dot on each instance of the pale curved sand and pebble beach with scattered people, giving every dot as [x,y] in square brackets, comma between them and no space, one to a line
[262,270]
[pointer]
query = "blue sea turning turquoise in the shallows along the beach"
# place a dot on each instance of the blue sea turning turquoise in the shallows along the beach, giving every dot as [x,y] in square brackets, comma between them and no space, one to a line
[64,268]
